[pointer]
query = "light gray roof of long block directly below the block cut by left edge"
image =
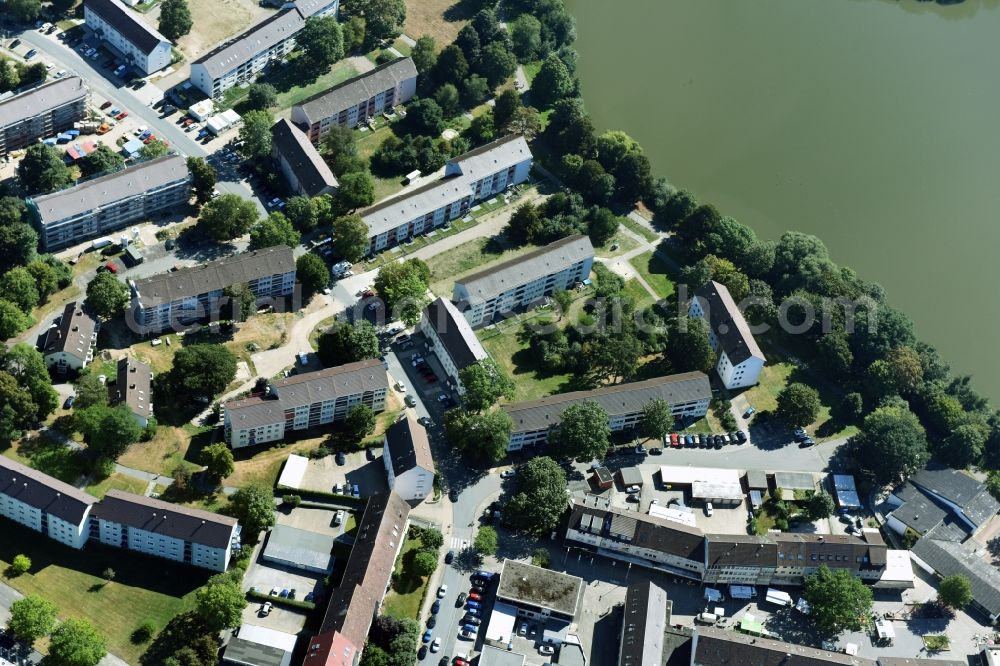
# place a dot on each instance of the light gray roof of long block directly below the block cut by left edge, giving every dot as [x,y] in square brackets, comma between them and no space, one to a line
[93,194]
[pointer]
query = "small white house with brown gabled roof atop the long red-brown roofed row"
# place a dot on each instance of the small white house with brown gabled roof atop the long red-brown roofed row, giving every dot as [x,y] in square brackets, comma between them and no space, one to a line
[409,465]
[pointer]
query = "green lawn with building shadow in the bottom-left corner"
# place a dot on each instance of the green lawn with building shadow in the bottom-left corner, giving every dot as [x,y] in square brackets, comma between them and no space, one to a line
[144,588]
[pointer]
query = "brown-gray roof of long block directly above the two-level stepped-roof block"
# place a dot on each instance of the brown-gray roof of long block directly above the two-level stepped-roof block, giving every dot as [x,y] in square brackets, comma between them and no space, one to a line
[215,275]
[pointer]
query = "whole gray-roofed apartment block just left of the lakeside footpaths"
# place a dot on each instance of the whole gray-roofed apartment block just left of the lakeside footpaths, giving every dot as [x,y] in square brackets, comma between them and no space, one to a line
[502,289]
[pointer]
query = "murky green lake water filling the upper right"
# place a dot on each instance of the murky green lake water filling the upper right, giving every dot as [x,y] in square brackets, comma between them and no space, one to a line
[874,124]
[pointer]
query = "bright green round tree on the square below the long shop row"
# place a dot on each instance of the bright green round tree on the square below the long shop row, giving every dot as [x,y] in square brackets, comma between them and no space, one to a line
[838,600]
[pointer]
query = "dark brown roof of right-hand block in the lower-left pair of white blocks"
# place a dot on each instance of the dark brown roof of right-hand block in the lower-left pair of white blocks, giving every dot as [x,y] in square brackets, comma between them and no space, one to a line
[145,513]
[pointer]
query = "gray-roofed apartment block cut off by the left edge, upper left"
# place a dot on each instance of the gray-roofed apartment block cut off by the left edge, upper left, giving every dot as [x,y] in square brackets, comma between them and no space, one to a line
[41,112]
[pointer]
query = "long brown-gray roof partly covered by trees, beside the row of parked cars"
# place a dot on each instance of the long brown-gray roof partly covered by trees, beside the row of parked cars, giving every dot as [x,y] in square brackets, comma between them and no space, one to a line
[616,400]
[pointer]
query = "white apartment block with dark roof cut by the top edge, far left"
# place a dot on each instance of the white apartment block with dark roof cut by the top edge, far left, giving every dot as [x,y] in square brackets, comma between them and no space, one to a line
[139,44]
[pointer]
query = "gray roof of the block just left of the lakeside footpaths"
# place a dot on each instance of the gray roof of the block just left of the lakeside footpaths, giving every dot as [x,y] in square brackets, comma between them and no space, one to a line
[552,258]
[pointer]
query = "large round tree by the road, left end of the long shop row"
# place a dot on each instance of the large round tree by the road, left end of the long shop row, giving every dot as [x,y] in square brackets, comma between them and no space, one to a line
[540,497]
